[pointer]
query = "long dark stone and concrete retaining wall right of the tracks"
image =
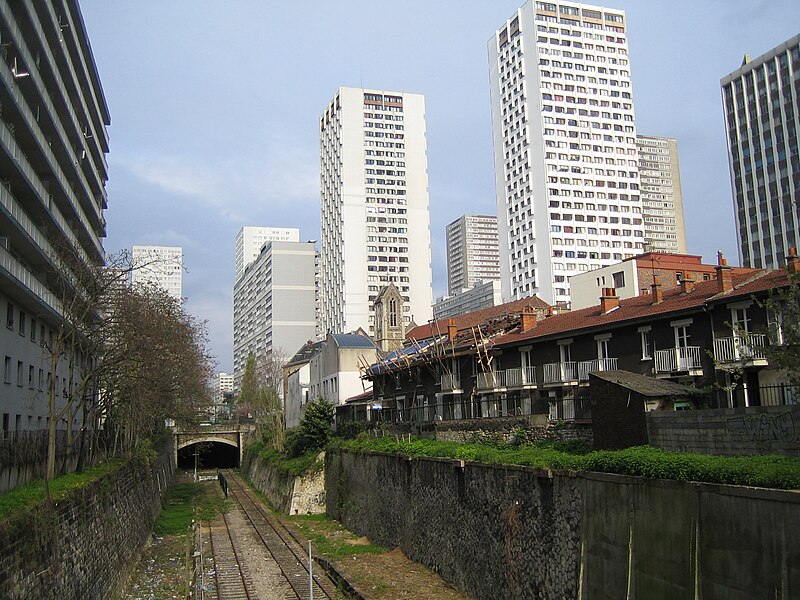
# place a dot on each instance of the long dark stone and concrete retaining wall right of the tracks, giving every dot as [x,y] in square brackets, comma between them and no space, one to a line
[512,532]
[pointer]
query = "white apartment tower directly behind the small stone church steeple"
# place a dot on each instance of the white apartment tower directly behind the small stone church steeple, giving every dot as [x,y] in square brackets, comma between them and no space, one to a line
[374,207]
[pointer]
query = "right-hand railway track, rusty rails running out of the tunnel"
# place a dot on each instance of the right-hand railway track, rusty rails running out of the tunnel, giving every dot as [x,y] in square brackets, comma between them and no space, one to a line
[289,554]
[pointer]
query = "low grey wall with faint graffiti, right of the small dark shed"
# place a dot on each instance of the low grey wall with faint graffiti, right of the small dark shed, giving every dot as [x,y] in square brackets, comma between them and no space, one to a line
[727,431]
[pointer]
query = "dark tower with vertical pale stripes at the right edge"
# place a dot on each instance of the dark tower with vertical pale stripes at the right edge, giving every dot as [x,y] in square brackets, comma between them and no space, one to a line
[762,118]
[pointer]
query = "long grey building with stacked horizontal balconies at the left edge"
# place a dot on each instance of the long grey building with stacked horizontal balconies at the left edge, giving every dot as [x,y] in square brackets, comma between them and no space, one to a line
[53,173]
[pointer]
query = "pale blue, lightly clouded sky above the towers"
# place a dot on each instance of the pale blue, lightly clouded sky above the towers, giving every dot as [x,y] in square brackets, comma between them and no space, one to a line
[215,112]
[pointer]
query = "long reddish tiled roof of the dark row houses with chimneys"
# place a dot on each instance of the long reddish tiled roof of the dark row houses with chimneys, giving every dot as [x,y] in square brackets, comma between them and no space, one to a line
[641,307]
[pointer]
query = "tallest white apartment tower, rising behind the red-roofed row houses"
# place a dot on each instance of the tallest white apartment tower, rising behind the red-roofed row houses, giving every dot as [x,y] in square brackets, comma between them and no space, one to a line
[566,169]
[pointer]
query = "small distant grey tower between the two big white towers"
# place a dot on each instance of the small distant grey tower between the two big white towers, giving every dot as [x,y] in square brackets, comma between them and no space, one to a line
[473,255]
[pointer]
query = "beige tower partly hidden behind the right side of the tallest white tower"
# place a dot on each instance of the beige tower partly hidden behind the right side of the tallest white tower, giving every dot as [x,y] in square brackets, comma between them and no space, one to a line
[662,198]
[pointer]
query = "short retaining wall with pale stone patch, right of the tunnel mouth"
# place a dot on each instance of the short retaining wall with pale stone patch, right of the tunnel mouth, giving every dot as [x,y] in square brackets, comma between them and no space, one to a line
[288,494]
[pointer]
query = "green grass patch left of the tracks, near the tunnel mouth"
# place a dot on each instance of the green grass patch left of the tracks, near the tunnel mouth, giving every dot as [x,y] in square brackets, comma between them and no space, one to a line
[181,502]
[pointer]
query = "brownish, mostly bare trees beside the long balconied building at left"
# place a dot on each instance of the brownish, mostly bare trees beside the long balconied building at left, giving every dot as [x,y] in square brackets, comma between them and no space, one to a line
[128,358]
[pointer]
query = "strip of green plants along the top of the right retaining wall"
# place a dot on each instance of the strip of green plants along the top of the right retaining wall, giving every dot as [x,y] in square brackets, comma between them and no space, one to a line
[774,471]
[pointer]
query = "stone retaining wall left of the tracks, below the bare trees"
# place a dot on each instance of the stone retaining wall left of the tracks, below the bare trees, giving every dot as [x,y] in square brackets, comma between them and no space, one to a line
[86,548]
